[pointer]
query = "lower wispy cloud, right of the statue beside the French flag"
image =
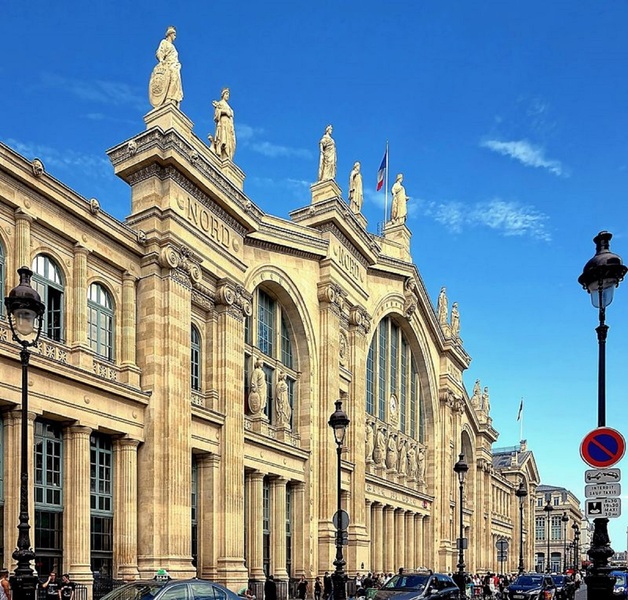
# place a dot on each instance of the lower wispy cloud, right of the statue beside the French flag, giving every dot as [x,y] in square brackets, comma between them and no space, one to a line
[505,217]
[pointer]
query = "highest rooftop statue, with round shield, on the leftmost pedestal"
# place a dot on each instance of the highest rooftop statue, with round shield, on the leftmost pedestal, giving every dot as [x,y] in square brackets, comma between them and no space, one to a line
[165,80]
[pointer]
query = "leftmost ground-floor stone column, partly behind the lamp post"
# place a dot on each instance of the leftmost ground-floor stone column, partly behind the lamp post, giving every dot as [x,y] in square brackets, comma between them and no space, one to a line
[12,456]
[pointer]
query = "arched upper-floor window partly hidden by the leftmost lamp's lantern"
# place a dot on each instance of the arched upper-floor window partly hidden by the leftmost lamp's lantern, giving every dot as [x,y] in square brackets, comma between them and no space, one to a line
[49,284]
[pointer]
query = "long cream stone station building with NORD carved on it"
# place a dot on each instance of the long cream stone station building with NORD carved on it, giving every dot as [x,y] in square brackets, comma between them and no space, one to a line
[145,451]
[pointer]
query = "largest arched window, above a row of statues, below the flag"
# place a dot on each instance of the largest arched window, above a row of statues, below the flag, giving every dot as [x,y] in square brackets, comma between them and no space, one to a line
[392,377]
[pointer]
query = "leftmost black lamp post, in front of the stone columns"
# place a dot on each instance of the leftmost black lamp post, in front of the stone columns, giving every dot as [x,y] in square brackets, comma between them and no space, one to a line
[24,310]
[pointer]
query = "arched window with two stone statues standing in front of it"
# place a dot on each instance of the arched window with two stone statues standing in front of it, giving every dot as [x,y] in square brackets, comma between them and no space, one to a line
[269,338]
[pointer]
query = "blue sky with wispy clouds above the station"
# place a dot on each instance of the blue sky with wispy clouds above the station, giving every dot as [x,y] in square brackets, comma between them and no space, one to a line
[509,121]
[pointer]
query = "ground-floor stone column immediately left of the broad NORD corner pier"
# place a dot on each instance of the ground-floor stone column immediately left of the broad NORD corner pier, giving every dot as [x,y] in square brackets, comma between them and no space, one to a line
[125,508]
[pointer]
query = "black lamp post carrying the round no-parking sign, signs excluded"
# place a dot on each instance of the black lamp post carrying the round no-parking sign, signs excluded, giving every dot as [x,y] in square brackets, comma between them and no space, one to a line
[600,276]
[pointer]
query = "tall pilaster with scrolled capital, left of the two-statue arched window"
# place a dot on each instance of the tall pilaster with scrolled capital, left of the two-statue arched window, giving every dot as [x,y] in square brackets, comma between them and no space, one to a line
[231,308]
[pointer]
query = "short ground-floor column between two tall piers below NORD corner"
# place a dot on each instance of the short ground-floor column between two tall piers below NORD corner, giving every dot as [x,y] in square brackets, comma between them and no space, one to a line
[208,466]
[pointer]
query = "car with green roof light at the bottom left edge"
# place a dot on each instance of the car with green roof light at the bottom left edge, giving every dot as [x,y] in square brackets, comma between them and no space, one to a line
[174,589]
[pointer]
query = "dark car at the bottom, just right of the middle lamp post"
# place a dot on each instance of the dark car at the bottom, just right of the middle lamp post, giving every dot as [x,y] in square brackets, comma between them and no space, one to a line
[417,585]
